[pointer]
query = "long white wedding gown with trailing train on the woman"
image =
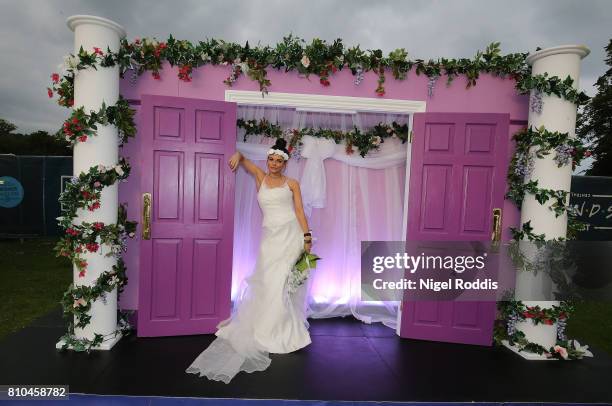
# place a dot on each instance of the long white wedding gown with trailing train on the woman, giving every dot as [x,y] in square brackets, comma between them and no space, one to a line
[267,319]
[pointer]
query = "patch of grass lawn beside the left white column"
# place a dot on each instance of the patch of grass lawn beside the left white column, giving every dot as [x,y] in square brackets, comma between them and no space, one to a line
[32,281]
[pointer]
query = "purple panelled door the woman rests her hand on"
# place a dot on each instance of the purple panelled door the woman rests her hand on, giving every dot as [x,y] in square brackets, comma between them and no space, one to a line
[185,265]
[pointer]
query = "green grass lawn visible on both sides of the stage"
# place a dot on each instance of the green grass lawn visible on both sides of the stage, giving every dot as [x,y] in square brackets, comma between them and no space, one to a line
[33,280]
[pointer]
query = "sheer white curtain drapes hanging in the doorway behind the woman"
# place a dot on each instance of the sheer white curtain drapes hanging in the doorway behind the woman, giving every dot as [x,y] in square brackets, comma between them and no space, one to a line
[350,199]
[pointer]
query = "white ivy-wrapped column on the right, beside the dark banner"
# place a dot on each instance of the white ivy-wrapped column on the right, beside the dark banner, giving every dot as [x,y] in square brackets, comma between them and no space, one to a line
[557,115]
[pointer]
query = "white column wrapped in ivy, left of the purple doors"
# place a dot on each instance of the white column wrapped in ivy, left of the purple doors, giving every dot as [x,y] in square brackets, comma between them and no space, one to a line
[91,88]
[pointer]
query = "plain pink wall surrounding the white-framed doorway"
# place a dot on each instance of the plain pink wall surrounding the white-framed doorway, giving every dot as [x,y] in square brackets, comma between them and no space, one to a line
[491,95]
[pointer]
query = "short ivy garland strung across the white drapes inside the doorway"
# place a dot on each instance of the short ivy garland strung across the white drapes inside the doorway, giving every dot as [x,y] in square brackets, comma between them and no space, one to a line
[365,141]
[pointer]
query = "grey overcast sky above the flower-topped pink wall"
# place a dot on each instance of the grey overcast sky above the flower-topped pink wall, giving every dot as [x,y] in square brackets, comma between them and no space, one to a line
[35,36]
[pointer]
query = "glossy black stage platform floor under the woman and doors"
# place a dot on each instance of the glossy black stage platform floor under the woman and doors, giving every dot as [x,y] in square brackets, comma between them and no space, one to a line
[347,360]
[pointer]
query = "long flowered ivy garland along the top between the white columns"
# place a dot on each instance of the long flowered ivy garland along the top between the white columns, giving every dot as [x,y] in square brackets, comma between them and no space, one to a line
[317,58]
